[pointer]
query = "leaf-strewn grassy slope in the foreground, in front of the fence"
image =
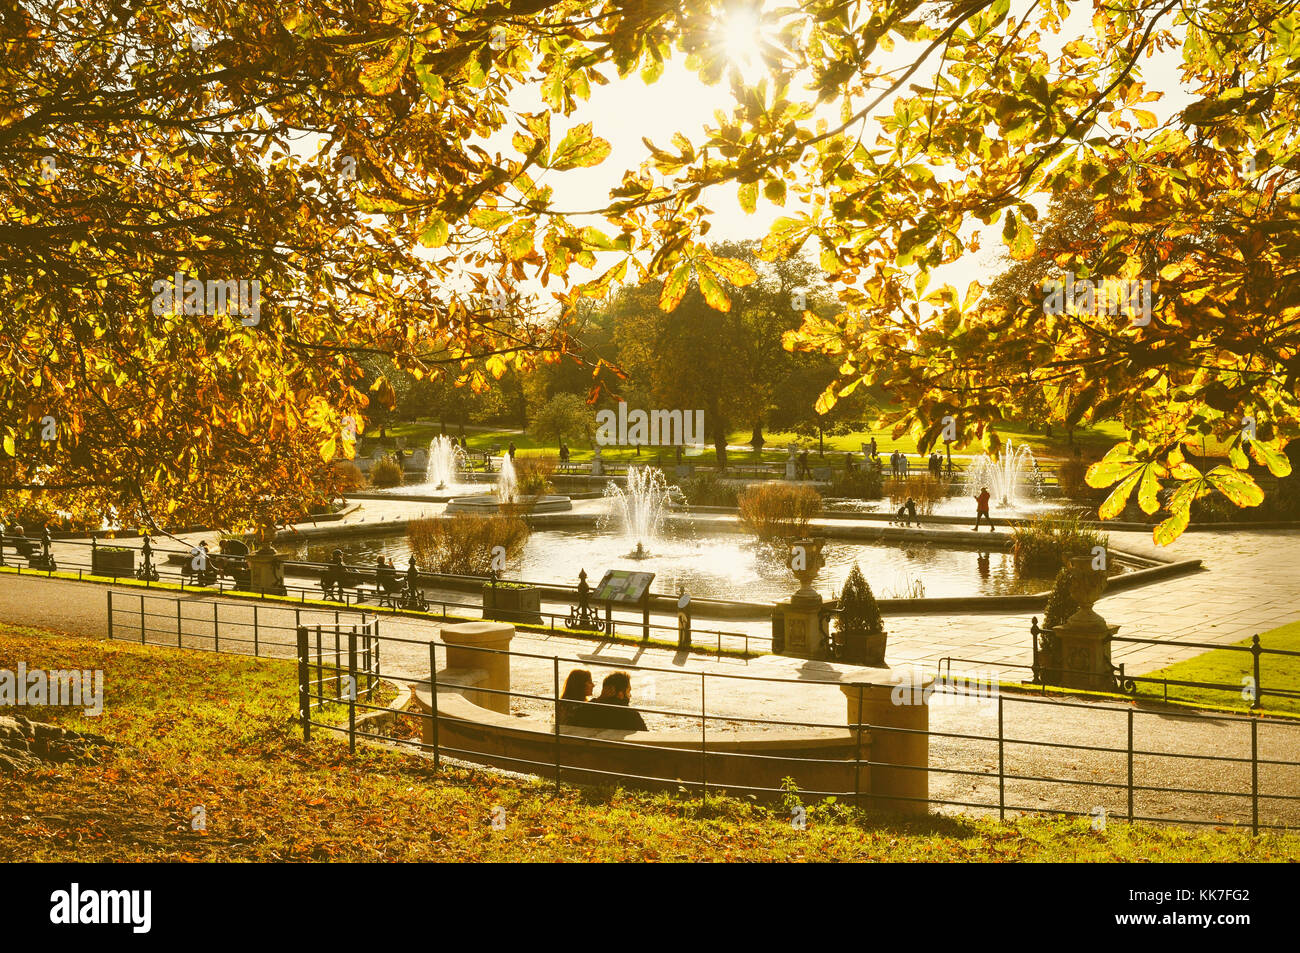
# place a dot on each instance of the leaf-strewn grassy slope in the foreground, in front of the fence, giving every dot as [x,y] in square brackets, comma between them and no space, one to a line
[219,731]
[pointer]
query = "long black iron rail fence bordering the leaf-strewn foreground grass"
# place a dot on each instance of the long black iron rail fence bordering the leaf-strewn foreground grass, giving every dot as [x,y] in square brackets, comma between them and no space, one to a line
[989,752]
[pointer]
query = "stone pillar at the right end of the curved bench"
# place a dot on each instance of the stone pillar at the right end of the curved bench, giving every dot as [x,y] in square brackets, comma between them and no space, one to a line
[894,700]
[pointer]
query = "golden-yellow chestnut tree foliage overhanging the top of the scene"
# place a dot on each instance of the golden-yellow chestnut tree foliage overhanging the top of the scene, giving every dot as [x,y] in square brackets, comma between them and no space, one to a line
[340,155]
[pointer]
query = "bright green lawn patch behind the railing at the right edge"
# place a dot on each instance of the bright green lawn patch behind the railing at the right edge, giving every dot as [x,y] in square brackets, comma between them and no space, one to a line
[1228,668]
